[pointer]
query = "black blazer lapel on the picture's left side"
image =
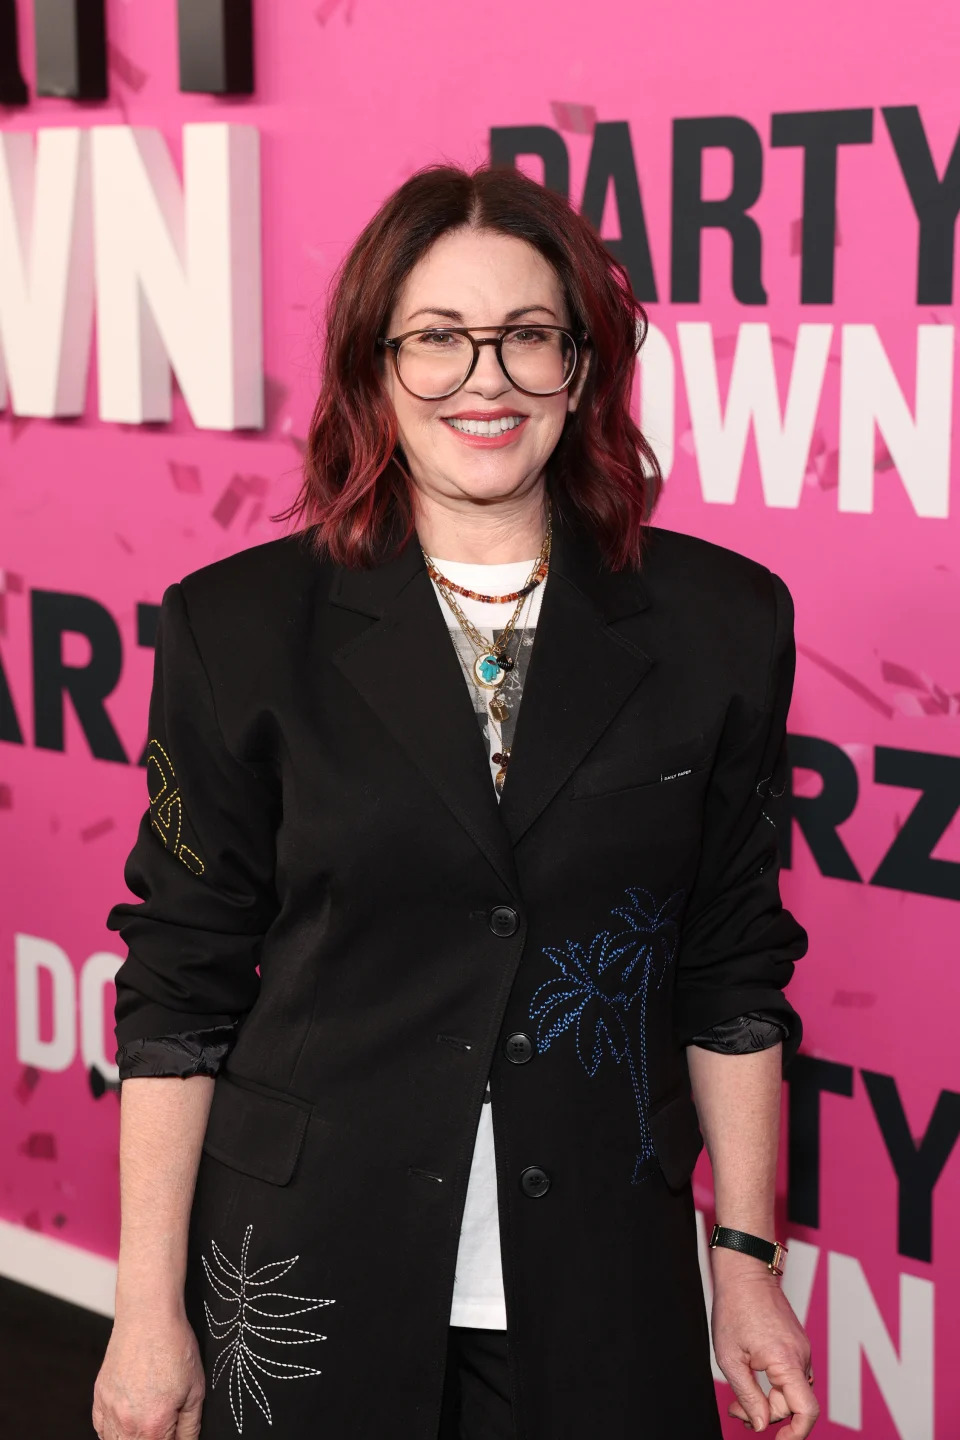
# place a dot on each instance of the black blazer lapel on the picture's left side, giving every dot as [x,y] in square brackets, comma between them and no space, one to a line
[407,669]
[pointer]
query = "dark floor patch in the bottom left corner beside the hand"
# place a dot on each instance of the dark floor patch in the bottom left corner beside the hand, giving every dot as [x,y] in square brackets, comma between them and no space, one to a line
[51,1356]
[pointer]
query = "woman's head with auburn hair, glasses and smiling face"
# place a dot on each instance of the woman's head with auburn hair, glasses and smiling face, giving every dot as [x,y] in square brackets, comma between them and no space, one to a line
[468,323]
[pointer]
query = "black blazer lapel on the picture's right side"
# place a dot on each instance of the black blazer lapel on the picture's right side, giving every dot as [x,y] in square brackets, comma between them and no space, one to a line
[581,673]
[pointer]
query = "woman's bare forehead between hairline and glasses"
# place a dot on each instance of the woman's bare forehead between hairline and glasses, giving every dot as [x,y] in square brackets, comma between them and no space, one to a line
[483,276]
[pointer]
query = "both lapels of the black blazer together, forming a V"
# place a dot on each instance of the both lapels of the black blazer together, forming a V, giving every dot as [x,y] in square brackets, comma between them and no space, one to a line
[565,706]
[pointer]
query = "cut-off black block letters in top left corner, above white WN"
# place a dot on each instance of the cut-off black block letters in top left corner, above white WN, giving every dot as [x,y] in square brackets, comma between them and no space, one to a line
[217,50]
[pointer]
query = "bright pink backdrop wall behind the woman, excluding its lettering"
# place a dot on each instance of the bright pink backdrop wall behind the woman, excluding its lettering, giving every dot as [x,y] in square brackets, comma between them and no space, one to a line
[353,96]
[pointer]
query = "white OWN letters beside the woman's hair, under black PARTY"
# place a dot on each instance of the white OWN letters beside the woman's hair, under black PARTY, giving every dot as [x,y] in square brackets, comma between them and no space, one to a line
[871,402]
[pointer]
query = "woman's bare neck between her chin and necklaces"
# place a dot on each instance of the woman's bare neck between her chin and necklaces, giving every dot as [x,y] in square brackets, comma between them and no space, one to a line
[481,534]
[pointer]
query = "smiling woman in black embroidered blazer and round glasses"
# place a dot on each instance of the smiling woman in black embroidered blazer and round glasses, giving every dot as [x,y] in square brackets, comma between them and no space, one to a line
[457,989]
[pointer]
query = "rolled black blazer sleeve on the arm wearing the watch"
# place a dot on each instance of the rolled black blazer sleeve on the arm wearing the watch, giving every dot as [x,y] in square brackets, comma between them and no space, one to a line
[738,941]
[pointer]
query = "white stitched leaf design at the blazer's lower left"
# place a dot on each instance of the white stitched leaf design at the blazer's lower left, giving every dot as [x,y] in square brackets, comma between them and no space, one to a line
[248,1330]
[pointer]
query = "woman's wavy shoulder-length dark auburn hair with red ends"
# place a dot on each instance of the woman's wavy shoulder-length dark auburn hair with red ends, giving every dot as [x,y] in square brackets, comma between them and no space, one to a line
[604,476]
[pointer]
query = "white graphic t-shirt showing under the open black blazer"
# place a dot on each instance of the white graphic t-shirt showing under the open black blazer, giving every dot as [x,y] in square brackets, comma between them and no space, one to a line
[479,1290]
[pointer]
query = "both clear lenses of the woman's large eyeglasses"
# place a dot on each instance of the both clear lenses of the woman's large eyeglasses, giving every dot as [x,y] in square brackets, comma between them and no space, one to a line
[435,362]
